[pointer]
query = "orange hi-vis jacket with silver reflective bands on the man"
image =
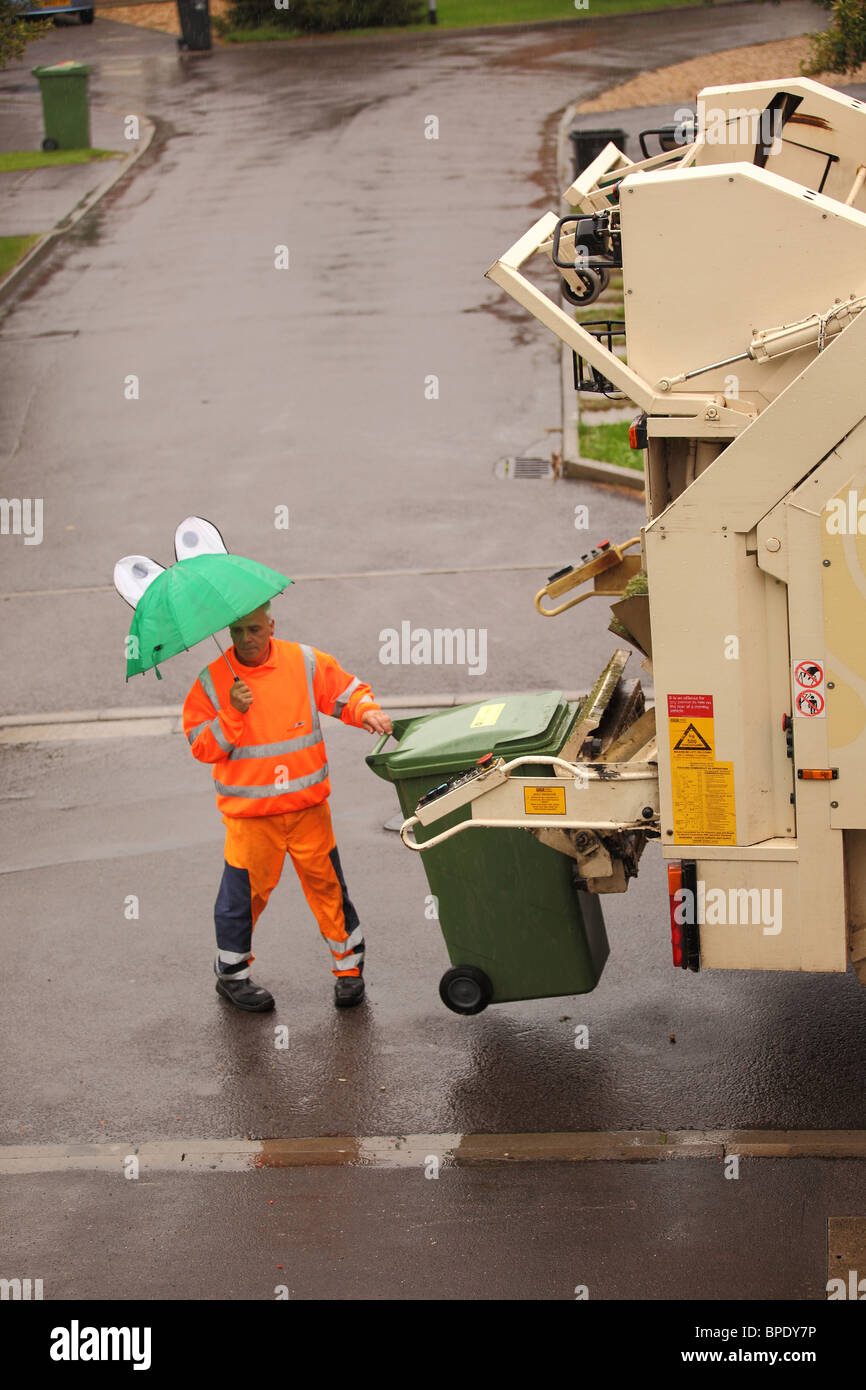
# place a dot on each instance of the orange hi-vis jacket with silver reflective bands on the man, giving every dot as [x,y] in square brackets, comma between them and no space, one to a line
[272,760]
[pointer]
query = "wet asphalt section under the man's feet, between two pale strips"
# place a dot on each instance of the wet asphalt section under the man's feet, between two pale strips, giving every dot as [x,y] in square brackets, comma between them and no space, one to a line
[141,1047]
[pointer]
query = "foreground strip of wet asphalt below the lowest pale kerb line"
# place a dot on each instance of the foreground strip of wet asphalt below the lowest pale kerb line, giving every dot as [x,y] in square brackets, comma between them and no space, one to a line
[526,1232]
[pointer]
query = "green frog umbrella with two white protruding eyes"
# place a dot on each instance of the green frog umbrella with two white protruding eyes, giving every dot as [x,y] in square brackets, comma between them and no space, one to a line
[193,600]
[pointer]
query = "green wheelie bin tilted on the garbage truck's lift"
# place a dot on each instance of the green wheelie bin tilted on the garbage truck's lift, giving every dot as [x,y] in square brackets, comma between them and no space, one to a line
[515,922]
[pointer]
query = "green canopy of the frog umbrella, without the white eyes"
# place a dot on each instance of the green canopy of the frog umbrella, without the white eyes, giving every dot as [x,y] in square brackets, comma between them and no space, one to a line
[194,600]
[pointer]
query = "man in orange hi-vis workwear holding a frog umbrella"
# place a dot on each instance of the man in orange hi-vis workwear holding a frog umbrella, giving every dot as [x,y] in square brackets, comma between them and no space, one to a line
[263,736]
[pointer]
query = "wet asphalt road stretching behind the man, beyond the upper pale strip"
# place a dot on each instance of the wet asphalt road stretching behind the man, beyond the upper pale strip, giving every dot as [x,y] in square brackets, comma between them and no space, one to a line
[307,389]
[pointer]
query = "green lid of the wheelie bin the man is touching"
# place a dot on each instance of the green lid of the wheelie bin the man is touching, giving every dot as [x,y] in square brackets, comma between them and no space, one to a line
[454,740]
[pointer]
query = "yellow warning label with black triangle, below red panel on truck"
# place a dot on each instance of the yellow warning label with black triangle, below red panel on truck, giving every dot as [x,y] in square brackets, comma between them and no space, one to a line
[703,790]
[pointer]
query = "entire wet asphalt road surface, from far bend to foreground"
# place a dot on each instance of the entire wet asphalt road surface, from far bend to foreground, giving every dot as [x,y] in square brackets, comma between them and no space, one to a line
[307,389]
